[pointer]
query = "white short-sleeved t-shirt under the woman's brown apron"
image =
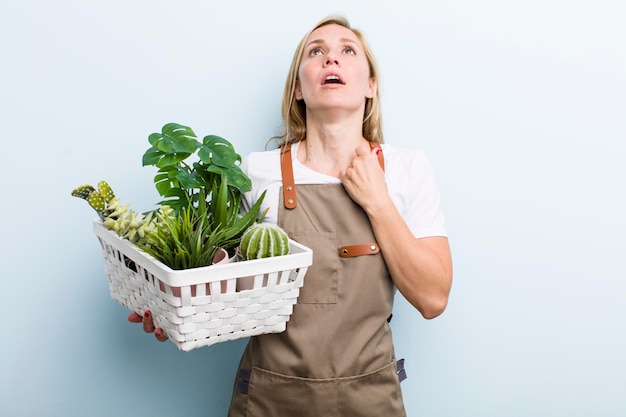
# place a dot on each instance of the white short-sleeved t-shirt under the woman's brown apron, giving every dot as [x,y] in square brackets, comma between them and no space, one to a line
[408,173]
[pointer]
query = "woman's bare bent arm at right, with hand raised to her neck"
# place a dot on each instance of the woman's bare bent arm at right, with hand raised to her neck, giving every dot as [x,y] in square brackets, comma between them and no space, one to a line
[420,268]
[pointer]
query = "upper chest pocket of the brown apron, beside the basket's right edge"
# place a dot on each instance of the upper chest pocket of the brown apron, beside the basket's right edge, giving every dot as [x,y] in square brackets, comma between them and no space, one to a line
[321,279]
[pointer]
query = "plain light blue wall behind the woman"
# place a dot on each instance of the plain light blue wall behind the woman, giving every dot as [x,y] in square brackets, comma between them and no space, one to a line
[521,106]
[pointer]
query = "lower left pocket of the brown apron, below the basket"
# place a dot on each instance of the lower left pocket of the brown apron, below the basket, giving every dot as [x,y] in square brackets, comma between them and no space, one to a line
[272,394]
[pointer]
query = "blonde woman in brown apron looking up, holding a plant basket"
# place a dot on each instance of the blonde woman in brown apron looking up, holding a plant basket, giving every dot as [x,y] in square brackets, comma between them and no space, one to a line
[371,214]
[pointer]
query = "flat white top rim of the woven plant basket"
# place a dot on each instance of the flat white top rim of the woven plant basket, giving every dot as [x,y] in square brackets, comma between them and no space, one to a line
[299,256]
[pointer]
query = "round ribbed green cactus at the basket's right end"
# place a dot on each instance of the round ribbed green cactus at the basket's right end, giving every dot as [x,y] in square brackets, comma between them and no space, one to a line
[262,240]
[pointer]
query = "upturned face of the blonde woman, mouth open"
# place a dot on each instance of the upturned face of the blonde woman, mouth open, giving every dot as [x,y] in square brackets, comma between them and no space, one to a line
[334,71]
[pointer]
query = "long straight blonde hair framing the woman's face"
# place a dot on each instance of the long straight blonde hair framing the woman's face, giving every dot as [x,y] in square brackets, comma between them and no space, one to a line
[293,111]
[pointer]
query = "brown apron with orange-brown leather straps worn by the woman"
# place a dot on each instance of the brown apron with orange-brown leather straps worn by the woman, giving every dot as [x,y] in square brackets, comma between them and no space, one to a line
[336,357]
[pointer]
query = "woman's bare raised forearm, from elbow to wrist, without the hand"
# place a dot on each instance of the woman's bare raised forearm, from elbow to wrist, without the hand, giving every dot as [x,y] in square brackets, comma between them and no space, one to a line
[420,268]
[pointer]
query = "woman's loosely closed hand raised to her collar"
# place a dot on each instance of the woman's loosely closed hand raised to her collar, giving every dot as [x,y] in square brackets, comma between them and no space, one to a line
[364,180]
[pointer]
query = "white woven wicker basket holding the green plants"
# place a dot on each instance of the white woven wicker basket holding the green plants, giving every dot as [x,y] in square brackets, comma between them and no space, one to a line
[203,306]
